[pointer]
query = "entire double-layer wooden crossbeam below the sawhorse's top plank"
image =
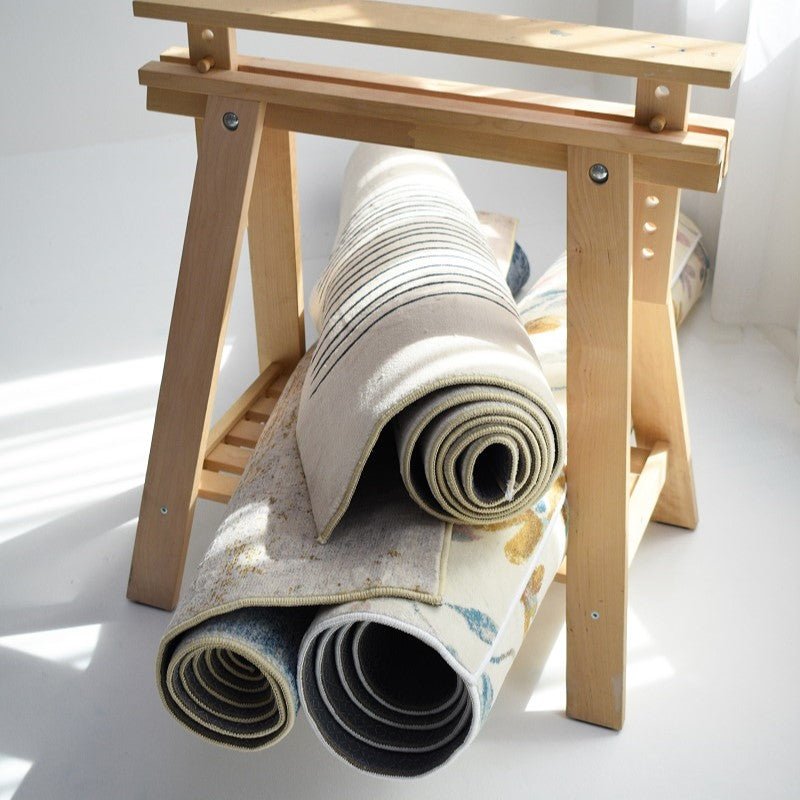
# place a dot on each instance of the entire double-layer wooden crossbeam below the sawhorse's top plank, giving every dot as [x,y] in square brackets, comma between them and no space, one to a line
[463,125]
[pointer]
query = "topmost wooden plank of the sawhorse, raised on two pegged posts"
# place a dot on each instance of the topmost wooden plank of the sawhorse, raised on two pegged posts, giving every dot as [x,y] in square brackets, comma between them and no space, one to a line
[532,41]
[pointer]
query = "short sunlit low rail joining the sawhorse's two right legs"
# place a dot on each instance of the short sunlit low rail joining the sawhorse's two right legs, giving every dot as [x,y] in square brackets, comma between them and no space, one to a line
[645,481]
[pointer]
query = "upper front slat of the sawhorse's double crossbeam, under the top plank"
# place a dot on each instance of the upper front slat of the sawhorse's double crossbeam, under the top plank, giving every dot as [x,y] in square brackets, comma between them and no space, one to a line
[461,118]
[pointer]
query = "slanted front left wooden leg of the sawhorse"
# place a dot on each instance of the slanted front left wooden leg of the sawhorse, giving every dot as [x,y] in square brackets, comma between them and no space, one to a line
[220,197]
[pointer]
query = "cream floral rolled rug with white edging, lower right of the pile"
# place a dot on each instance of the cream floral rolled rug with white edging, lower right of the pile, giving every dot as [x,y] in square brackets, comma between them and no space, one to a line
[399,688]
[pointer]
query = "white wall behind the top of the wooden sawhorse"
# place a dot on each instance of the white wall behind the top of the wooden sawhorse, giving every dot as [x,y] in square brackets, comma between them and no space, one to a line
[69,68]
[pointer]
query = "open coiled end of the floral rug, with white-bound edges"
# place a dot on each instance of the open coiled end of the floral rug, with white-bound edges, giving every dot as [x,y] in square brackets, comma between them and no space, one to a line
[397,717]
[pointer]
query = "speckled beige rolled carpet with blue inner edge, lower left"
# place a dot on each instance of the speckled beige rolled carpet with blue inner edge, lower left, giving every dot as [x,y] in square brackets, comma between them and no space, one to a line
[227,662]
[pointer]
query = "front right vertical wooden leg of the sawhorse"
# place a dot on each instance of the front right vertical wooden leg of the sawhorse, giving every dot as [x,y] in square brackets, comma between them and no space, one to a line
[599,281]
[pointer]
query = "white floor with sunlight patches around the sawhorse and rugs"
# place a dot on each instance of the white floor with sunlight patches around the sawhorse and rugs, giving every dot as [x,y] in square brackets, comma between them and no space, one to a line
[91,239]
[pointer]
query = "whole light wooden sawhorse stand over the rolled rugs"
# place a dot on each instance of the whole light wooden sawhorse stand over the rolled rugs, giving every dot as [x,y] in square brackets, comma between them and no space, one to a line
[625,168]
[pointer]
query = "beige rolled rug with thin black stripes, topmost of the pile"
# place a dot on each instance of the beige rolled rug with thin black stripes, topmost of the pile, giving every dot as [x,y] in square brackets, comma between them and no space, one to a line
[420,341]
